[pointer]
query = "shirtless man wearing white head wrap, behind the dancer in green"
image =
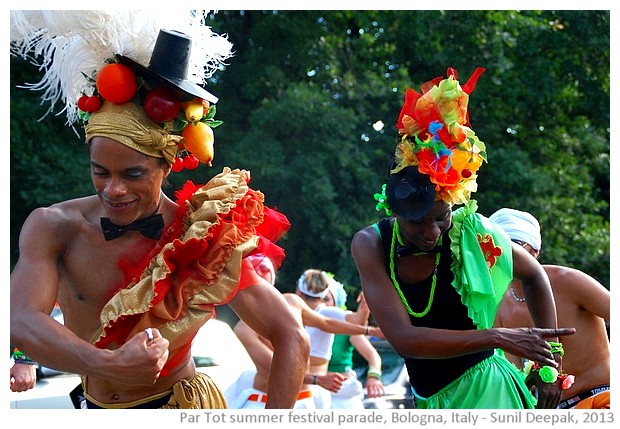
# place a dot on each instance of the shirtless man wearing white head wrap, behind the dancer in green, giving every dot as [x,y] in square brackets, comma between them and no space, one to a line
[581,302]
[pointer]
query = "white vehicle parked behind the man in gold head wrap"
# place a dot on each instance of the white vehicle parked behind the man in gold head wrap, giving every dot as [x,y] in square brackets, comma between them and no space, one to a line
[216,350]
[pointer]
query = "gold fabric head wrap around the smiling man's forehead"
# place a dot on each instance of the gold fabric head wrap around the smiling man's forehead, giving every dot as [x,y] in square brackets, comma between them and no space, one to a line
[128,124]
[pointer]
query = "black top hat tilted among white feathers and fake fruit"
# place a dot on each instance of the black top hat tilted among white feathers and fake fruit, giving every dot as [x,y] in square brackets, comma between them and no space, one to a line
[170,63]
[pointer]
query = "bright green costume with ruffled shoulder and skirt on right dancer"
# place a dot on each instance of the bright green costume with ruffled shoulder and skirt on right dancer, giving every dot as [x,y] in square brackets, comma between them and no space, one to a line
[481,269]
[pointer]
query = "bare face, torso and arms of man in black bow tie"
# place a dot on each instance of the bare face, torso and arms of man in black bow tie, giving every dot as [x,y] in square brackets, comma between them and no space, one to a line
[64,257]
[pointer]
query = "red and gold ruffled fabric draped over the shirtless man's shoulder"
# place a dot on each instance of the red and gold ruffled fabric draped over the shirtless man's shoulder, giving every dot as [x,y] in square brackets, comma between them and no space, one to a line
[176,287]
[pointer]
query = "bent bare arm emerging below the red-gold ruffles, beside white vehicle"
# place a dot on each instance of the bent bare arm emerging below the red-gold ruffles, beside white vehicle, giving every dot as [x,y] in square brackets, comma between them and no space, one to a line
[266,312]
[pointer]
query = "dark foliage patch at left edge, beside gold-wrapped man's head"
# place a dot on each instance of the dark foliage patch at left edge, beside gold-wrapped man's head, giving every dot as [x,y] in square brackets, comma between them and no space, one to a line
[48,160]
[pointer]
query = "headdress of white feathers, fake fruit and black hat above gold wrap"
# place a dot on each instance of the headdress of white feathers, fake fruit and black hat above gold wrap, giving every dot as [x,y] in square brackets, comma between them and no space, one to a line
[93,63]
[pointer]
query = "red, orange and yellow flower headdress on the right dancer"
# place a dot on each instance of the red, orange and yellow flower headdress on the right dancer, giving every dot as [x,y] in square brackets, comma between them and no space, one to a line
[435,136]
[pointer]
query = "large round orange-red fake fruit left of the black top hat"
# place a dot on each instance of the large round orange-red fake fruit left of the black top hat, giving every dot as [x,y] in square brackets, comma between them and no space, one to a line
[117,83]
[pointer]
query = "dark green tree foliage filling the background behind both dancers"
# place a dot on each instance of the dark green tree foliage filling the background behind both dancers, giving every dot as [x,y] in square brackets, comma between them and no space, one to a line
[301,95]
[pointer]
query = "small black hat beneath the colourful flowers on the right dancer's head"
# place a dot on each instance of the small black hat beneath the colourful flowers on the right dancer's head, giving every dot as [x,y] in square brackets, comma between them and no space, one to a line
[410,194]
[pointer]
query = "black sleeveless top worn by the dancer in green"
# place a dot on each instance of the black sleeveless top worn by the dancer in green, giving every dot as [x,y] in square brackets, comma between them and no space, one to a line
[428,376]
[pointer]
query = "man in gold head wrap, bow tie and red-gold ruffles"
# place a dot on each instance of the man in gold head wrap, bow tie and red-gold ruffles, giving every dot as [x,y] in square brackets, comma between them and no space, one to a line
[133,302]
